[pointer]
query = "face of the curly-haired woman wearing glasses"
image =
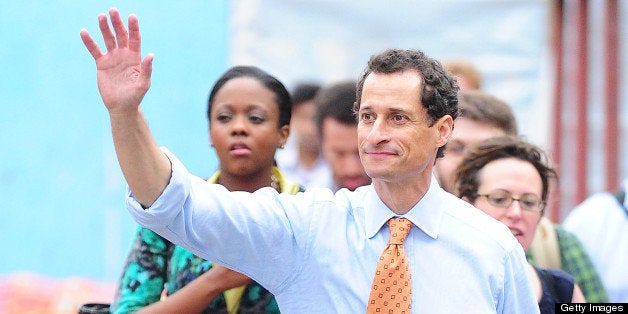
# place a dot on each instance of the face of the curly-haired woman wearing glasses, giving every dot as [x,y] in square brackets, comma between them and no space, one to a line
[519,179]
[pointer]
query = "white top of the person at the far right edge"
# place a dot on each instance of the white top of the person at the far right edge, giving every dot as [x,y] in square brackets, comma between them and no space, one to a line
[601,224]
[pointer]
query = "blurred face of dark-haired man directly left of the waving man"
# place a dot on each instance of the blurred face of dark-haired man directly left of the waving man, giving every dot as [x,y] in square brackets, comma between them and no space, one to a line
[340,149]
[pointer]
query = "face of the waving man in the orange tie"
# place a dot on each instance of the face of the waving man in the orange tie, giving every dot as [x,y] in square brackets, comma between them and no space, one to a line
[397,141]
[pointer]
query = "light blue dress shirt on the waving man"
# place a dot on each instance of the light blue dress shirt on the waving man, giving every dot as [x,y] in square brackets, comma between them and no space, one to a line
[317,251]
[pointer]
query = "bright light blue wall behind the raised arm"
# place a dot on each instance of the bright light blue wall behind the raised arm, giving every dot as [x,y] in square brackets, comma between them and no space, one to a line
[60,186]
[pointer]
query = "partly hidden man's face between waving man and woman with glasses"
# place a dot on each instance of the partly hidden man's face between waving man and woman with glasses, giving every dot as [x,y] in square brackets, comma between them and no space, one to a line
[466,133]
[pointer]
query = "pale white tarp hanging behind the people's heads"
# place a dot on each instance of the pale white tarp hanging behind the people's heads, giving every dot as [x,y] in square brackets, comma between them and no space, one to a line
[327,41]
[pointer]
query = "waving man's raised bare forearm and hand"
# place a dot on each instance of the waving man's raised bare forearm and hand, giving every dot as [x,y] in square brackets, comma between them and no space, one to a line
[123,80]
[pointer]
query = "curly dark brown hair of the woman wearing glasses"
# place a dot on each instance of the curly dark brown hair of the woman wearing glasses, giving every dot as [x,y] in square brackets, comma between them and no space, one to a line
[467,179]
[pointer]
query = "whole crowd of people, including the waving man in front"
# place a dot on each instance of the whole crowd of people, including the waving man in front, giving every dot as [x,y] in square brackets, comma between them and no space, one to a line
[312,184]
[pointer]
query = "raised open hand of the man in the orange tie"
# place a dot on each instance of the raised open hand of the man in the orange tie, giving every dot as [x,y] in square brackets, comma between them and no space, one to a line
[123,78]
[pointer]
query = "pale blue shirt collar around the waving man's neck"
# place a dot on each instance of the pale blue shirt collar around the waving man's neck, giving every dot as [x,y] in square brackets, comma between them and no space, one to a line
[426,214]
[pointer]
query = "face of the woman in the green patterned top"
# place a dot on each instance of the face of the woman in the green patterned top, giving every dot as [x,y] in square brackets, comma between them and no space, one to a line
[244,127]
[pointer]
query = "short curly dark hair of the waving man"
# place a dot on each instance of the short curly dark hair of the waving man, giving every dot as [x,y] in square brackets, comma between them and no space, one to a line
[439,91]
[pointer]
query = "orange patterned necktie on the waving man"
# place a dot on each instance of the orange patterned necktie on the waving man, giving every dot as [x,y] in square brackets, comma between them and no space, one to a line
[391,290]
